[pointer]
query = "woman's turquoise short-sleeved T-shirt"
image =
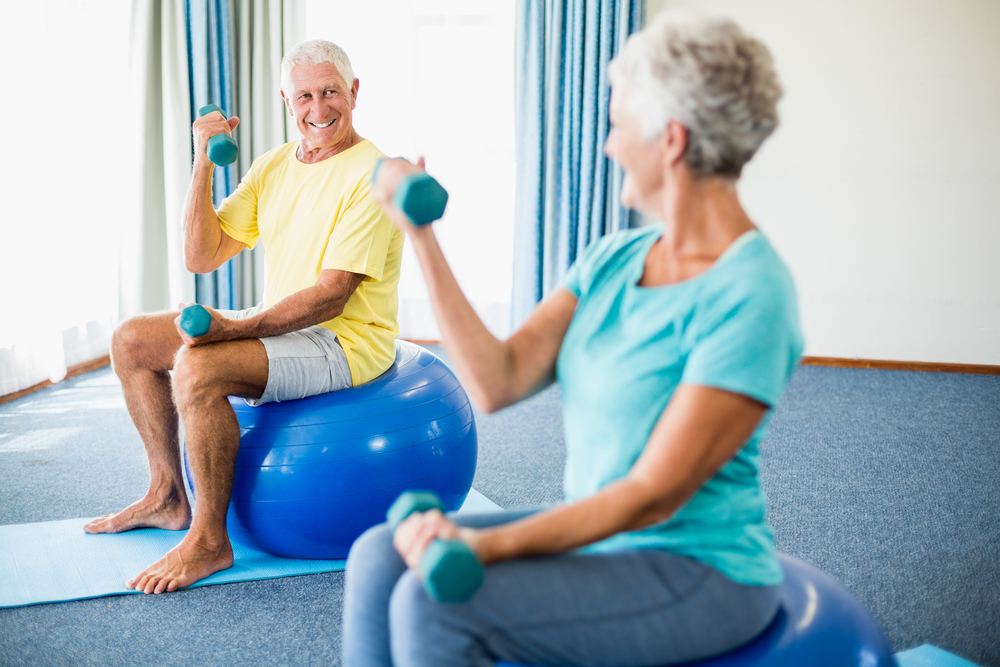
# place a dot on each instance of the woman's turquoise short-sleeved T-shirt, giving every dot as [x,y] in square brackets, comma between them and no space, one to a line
[733,327]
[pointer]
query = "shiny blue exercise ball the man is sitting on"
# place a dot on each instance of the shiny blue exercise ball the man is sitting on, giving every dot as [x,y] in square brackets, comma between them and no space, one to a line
[313,474]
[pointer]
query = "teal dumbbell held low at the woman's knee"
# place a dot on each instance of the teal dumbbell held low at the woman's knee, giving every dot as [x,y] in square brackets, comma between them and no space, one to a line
[449,570]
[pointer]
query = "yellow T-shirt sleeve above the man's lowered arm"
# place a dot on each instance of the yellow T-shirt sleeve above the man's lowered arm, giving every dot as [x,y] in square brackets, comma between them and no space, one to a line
[360,240]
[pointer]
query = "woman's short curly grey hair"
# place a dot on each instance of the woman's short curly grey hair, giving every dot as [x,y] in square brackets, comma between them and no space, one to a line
[708,75]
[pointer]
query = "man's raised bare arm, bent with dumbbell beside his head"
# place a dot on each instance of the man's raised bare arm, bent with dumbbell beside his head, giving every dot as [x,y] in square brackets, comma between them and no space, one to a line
[206,246]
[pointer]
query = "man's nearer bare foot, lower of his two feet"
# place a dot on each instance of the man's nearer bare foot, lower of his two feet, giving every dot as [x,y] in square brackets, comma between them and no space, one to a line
[190,561]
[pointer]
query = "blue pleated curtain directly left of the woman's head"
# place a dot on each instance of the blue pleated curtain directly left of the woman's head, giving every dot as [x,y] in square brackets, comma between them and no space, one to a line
[567,191]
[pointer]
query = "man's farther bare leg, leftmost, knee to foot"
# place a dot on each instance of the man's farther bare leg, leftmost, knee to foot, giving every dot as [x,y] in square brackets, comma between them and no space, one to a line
[142,353]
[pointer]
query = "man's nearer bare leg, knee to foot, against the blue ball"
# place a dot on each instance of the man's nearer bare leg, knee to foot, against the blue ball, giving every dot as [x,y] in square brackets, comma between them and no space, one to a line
[204,378]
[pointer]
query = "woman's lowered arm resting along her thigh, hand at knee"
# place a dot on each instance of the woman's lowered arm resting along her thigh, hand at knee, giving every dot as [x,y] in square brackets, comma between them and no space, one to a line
[701,429]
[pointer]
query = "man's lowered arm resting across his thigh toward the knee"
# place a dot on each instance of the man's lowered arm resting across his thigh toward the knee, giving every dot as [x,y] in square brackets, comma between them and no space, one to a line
[322,302]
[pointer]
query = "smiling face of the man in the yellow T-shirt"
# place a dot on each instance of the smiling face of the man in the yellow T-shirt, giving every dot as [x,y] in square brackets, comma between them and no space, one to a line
[322,103]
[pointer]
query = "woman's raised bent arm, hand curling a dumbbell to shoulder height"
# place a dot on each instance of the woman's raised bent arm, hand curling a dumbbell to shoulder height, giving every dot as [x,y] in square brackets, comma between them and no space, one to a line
[495,373]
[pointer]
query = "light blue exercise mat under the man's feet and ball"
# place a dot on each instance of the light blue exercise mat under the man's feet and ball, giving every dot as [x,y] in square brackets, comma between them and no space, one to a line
[56,561]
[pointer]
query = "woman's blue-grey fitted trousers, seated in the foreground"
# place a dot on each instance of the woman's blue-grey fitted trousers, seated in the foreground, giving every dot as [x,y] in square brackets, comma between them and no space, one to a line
[641,607]
